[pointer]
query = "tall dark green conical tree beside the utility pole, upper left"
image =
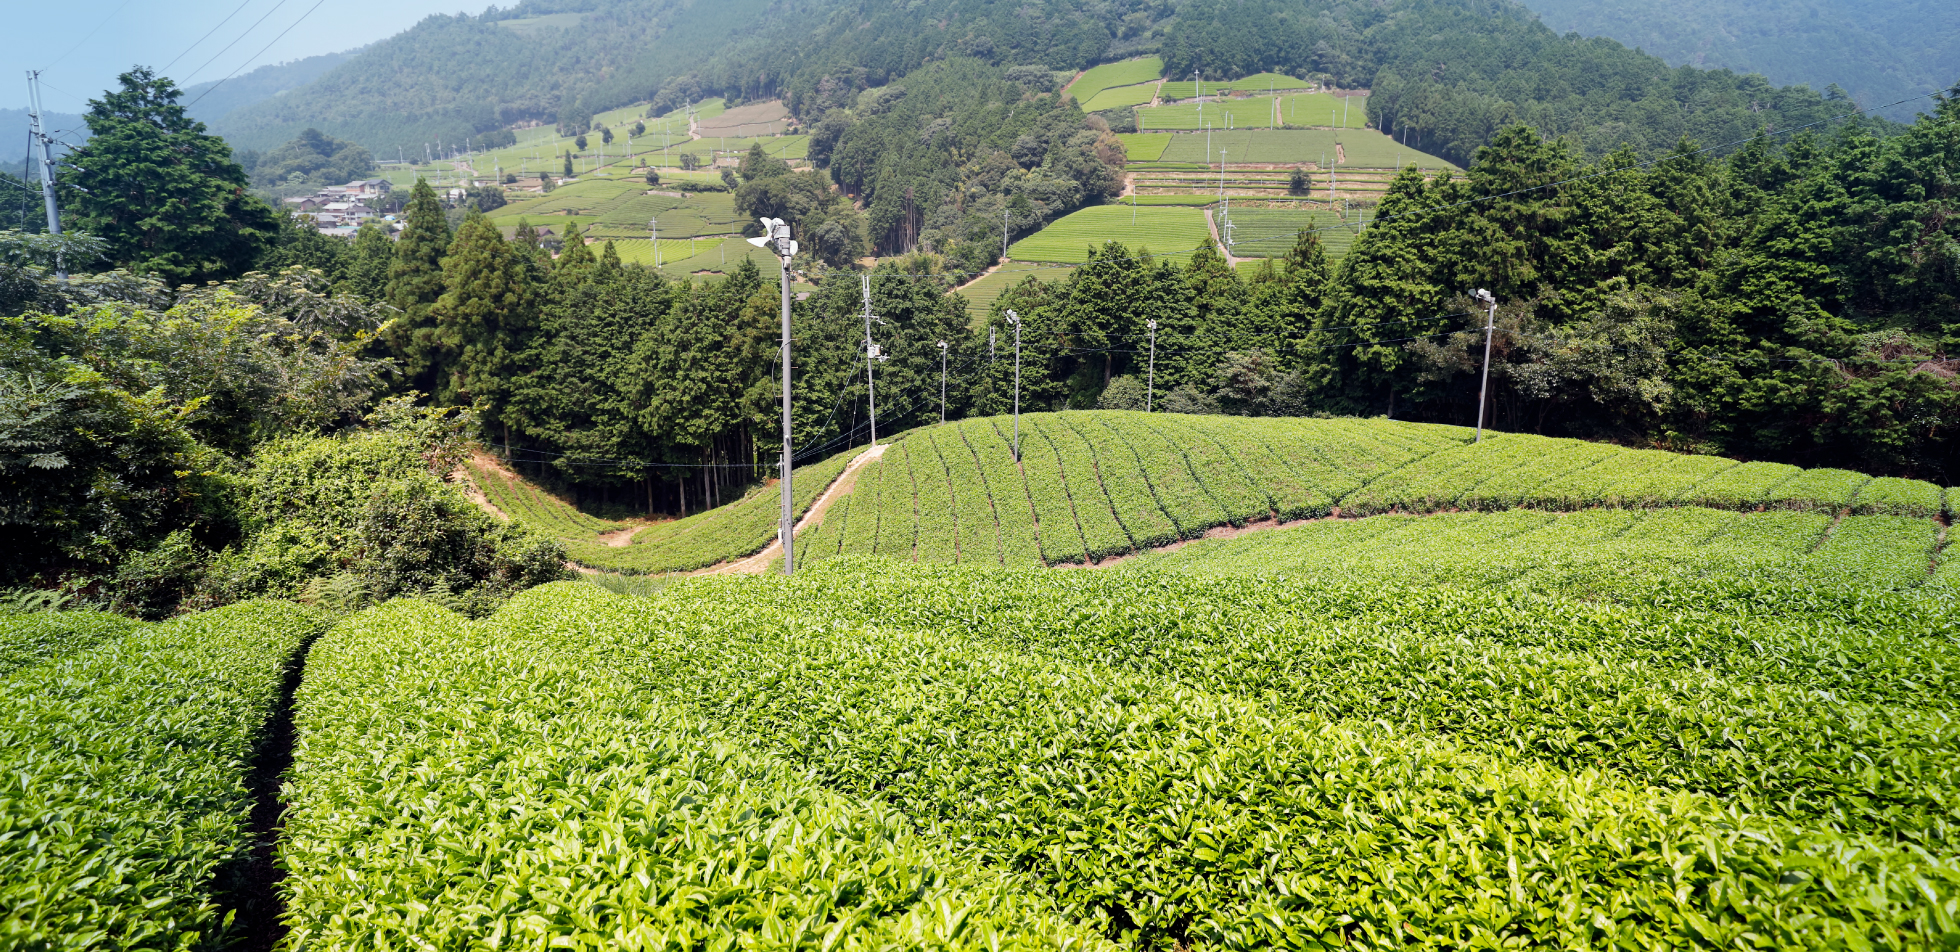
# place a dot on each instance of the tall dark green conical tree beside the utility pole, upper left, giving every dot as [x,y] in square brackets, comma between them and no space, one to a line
[166,197]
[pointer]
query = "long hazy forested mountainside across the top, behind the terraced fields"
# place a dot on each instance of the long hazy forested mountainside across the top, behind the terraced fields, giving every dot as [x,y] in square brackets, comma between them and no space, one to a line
[1445,73]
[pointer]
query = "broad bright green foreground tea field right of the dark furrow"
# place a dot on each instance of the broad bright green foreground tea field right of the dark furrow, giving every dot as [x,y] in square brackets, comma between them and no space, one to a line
[885,755]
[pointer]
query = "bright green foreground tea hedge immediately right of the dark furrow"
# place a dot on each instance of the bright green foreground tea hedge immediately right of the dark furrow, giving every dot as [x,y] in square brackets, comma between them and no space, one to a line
[524,732]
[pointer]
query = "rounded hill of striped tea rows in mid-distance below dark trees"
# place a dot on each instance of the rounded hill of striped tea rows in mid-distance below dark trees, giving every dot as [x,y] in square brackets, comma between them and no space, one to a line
[1099,485]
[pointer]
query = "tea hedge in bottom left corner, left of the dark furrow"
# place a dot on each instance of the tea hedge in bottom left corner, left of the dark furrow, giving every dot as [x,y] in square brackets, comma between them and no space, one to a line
[126,806]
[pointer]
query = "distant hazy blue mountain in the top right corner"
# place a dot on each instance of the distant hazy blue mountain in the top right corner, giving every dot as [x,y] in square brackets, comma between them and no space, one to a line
[1875,50]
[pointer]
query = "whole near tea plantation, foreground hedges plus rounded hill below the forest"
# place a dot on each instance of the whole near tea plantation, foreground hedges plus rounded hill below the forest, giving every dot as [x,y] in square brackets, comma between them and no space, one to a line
[1510,694]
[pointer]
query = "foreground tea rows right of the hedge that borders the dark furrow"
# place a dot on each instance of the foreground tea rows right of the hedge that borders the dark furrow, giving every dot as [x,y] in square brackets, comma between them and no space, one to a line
[1153,802]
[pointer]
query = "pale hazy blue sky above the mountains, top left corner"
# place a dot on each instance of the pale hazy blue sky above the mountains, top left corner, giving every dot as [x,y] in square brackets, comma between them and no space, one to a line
[156,32]
